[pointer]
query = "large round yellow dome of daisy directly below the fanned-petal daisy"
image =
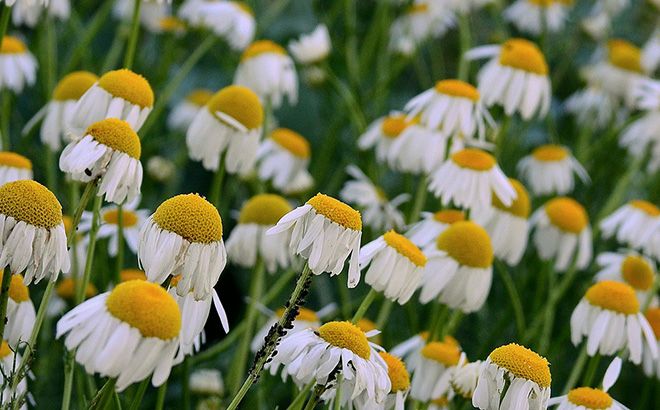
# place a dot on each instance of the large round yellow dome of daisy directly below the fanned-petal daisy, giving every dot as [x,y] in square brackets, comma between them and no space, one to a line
[468,244]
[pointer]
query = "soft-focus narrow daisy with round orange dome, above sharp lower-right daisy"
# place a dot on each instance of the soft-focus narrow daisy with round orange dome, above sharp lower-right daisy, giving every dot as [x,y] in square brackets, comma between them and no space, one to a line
[562,233]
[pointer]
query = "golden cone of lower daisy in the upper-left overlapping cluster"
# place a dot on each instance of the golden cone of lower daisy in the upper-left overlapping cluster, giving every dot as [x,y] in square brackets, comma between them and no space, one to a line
[116,134]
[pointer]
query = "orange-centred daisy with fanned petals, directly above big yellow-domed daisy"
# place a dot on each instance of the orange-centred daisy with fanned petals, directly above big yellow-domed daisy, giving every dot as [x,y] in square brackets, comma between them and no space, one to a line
[469,179]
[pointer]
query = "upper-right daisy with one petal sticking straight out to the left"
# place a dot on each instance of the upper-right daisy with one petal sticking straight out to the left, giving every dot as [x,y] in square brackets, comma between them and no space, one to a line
[516,78]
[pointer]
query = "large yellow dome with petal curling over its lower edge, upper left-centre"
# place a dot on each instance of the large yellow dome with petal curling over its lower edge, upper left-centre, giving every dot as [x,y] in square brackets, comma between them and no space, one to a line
[240,103]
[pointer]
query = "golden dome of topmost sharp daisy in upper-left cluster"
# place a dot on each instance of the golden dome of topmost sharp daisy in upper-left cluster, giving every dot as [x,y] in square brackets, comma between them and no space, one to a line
[129,86]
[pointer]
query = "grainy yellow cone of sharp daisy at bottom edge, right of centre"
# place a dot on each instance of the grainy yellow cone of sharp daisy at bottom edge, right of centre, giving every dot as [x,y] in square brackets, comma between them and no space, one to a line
[523,363]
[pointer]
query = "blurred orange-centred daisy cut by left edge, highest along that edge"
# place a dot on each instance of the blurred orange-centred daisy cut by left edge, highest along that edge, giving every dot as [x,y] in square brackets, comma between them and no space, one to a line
[18,67]
